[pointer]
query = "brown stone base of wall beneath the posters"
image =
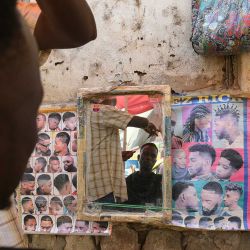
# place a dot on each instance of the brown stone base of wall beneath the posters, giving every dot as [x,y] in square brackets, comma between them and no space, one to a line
[125,237]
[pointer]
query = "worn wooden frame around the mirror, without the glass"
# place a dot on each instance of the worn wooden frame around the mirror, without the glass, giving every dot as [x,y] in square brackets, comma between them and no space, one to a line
[148,217]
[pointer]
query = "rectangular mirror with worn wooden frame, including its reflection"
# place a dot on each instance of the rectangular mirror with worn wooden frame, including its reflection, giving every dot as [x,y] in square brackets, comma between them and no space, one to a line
[123,153]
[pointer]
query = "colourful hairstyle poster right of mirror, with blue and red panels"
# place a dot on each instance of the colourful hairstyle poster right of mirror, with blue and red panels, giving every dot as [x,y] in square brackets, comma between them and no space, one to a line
[209,162]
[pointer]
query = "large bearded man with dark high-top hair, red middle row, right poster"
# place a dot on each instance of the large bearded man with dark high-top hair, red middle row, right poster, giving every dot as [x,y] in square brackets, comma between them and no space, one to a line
[201,159]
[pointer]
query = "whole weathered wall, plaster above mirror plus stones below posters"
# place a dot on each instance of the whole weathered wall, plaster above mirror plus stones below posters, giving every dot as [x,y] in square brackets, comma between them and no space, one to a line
[142,42]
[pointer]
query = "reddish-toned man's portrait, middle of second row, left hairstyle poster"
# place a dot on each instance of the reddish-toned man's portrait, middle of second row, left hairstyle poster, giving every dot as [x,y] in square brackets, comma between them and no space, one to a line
[61,144]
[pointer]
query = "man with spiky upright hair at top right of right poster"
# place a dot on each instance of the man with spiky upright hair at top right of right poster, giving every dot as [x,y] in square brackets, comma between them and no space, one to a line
[226,126]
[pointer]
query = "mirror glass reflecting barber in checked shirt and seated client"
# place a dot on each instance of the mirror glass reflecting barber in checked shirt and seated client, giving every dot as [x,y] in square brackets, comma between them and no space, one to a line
[125,151]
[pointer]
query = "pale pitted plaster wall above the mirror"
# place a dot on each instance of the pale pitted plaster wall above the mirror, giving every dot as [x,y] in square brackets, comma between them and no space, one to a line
[145,42]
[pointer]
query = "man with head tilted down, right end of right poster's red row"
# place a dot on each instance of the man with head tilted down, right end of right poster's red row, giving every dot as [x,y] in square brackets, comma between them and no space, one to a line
[229,163]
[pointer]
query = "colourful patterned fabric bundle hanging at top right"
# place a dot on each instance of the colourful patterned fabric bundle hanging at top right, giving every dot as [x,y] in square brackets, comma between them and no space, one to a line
[220,26]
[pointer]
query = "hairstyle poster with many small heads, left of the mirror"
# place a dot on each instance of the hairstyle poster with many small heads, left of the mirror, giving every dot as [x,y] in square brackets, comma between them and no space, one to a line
[48,189]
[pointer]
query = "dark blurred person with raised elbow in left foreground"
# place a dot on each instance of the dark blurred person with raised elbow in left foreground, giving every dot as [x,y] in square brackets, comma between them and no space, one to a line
[22,91]
